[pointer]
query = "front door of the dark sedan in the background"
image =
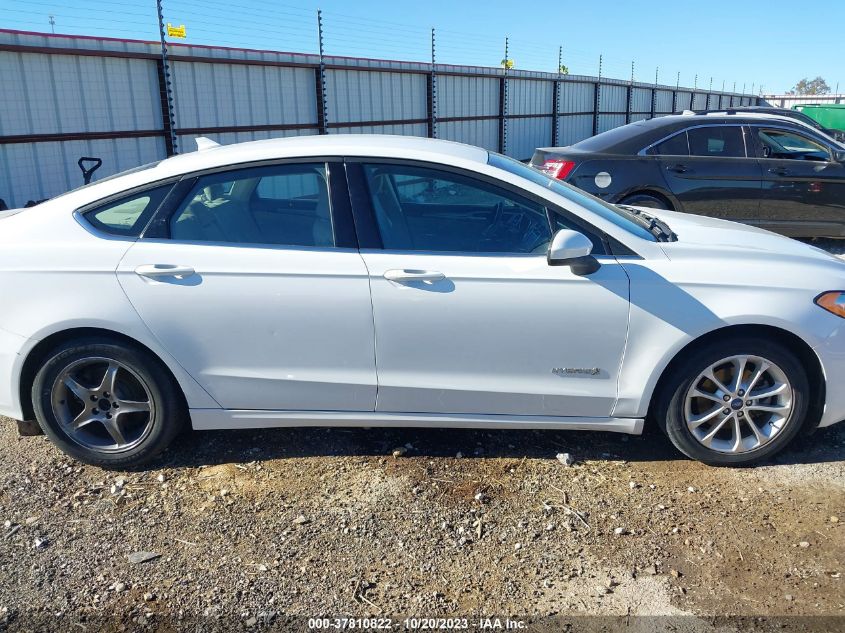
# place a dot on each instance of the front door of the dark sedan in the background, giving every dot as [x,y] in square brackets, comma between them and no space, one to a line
[803,189]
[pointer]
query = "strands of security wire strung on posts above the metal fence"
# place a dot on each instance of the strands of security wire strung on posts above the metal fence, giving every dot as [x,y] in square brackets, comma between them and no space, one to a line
[291,28]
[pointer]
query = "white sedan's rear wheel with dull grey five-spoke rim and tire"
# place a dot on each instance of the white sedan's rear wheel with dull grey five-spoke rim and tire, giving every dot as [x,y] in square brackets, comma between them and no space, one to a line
[81,415]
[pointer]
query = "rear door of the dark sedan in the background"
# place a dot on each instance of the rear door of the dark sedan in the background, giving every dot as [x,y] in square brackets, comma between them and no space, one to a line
[706,168]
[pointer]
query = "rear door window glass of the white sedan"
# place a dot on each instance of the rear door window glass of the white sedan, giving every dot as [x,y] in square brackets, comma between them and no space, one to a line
[286,205]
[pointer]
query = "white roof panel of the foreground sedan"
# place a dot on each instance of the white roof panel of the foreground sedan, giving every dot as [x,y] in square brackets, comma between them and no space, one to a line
[376,145]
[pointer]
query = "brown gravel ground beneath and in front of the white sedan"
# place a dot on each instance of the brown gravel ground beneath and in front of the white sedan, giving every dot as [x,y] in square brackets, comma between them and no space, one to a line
[259,529]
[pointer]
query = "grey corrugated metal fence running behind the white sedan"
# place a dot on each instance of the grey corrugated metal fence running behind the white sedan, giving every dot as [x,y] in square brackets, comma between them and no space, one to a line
[64,97]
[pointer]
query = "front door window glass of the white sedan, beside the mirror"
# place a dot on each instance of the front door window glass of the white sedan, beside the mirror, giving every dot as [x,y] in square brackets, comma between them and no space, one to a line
[423,209]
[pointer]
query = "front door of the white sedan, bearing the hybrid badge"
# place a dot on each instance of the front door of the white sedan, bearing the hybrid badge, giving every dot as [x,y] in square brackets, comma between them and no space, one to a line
[469,316]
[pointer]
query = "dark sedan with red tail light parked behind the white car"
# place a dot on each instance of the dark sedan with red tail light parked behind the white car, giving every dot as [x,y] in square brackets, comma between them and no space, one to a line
[767,171]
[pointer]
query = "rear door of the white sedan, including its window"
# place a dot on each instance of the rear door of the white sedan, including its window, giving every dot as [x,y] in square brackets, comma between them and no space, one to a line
[254,294]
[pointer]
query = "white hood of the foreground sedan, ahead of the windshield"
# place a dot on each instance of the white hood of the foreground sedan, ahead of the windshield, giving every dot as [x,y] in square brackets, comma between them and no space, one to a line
[700,235]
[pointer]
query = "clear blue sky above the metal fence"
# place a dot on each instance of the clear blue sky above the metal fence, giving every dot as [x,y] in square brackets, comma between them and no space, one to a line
[751,43]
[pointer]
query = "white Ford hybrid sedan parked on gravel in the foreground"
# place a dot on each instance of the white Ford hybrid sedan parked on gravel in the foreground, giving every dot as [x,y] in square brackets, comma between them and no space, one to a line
[393,281]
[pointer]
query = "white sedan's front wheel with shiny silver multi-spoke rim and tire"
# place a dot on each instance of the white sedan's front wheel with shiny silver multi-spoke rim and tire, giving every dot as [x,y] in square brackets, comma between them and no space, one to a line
[678,407]
